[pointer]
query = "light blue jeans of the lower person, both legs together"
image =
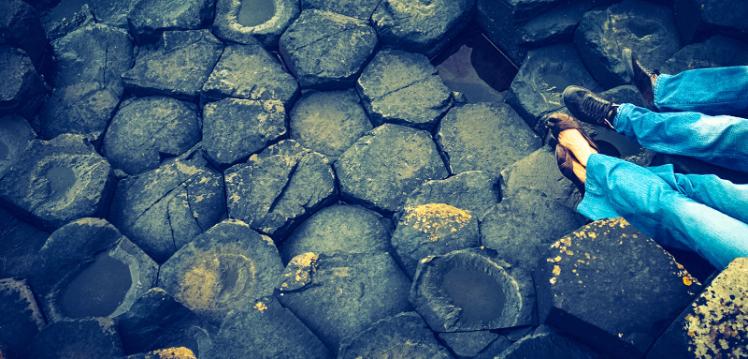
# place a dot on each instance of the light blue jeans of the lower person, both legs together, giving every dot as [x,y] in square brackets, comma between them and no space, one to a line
[618,188]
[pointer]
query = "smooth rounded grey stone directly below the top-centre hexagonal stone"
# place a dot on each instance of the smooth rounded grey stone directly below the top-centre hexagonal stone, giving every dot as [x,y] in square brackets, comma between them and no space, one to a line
[329,122]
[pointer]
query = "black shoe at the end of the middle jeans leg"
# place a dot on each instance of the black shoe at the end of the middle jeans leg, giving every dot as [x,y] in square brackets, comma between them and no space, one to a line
[589,107]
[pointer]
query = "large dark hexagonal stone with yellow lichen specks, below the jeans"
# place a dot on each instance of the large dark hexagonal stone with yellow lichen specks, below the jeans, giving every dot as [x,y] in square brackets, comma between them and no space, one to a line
[650,287]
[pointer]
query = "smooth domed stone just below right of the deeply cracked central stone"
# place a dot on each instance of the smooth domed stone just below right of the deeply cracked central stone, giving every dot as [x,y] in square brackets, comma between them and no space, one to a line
[339,229]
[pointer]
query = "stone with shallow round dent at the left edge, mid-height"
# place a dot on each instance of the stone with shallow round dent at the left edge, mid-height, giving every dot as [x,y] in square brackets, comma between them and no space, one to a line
[58,180]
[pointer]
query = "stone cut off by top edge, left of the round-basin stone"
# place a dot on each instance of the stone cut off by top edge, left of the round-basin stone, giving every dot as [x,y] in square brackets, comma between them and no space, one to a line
[149,17]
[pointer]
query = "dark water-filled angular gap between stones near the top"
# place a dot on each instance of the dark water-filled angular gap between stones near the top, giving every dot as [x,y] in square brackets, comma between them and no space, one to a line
[474,66]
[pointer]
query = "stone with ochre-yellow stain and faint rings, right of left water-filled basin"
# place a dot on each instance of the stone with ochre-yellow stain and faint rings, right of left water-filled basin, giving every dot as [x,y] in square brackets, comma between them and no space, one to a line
[222,269]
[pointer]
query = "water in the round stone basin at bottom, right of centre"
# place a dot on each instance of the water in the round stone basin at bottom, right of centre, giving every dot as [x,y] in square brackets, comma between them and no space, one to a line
[475,292]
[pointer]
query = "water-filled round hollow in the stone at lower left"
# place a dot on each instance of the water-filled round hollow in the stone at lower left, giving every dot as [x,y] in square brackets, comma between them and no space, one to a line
[97,290]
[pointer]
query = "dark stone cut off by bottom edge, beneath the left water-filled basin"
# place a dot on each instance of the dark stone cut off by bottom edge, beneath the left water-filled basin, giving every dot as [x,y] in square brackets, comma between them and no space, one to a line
[77,339]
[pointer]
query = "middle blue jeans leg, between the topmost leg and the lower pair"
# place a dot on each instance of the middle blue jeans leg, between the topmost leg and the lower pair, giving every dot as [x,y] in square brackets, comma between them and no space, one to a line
[720,140]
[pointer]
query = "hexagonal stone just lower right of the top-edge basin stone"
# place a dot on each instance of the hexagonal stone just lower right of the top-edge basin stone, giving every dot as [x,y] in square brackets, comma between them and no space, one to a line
[326,50]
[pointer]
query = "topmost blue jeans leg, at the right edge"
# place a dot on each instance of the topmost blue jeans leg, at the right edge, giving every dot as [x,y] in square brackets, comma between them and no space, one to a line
[713,91]
